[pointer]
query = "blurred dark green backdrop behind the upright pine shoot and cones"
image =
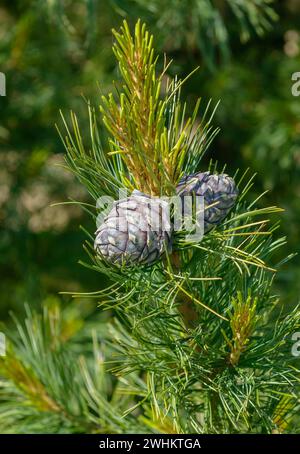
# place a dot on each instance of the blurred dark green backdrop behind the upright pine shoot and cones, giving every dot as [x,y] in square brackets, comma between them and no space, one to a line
[53,52]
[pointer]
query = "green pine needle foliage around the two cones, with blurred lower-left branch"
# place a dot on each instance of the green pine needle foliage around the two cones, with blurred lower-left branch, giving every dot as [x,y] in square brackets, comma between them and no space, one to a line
[195,342]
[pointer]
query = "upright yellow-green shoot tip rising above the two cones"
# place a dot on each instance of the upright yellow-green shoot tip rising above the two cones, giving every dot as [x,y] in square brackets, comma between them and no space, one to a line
[148,132]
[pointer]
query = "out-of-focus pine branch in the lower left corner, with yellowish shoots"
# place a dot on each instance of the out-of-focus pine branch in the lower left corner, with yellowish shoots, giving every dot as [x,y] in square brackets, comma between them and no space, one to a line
[54,391]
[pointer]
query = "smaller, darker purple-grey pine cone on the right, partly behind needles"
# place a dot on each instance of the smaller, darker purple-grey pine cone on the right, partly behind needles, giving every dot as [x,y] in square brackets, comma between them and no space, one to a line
[219,190]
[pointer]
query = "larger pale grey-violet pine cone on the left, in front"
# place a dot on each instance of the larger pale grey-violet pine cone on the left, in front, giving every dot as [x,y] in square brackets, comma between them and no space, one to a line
[136,231]
